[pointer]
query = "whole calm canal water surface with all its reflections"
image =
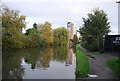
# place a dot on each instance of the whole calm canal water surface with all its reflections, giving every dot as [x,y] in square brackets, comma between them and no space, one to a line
[39,63]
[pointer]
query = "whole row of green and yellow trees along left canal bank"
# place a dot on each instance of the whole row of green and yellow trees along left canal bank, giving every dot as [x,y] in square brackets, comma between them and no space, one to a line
[12,25]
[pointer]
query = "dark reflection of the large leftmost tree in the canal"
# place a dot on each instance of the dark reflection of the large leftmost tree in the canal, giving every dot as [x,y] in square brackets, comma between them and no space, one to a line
[11,65]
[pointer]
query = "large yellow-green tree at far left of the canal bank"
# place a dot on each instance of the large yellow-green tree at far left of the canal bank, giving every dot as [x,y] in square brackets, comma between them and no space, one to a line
[12,25]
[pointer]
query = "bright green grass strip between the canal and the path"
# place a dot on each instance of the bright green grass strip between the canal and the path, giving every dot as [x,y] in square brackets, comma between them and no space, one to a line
[82,63]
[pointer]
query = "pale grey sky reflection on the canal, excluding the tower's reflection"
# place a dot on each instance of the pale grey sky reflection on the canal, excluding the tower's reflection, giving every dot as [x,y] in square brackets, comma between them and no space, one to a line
[55,71]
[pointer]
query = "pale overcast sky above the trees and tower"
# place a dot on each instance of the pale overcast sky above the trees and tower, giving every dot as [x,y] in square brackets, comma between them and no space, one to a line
[59,12]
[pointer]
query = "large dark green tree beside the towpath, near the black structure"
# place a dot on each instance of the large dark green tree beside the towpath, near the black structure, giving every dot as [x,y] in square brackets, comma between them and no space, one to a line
[94,28]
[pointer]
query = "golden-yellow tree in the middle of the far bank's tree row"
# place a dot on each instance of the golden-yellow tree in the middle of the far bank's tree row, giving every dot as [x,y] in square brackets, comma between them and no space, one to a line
[47,33]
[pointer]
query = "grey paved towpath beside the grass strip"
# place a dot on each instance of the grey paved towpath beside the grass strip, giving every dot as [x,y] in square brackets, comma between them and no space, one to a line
[98,65]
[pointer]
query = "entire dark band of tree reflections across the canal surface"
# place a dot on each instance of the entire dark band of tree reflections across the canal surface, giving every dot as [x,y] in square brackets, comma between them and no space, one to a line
[35,57]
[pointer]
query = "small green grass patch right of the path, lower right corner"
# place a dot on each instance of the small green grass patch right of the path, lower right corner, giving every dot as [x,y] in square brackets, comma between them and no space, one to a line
[114,64]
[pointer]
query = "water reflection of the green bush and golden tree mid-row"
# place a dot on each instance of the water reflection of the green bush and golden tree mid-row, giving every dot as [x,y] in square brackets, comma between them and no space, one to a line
[38,57]
